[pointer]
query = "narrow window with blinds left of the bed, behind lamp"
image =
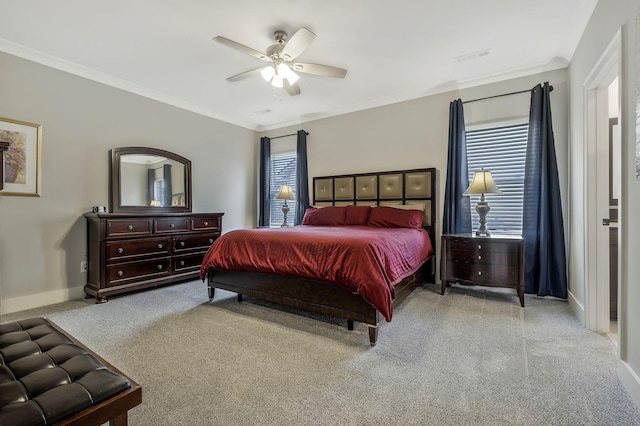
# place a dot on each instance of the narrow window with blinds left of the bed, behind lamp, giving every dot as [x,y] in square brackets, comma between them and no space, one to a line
[283,171]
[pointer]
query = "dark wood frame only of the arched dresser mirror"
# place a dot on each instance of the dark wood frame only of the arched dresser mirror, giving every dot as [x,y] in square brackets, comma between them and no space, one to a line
[115,187]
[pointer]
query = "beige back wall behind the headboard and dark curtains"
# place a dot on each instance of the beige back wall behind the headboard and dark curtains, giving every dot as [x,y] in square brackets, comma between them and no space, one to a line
[414,134]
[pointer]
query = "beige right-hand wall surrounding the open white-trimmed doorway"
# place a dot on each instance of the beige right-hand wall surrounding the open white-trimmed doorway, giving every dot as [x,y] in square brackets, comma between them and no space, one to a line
[608,18]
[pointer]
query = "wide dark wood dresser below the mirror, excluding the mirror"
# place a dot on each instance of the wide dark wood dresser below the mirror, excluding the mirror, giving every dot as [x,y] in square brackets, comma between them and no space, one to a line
[130,252]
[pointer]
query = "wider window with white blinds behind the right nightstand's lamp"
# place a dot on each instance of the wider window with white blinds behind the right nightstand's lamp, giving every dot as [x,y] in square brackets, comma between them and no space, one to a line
[502,150]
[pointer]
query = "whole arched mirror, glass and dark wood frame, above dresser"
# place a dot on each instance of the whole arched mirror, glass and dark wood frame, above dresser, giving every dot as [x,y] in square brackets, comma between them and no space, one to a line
[149,180]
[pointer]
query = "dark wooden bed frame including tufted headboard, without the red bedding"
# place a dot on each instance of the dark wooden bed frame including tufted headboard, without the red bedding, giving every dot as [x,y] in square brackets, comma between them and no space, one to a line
[416,186]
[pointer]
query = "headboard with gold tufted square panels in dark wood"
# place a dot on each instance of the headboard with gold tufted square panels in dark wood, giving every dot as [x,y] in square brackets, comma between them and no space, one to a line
[416,186]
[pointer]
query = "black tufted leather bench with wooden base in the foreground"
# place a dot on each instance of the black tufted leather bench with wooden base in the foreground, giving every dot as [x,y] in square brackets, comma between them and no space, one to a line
[48,377]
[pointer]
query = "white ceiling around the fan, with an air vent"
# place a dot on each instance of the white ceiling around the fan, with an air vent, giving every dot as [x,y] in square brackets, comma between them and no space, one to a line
[393,50]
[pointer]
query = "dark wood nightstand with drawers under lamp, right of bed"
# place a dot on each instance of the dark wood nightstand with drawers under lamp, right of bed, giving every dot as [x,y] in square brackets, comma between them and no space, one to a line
[493,261]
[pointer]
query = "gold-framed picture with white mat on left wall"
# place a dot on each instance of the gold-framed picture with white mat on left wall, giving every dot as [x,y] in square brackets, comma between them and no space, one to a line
[22,159]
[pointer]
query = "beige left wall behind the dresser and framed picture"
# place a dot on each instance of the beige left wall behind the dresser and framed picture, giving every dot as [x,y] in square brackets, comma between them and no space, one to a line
[43,239]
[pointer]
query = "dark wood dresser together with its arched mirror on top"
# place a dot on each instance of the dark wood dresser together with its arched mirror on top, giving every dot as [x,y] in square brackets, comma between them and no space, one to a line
[151,237]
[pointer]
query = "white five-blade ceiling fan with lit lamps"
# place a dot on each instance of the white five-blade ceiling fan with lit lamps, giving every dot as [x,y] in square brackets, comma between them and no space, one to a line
[281,71]
